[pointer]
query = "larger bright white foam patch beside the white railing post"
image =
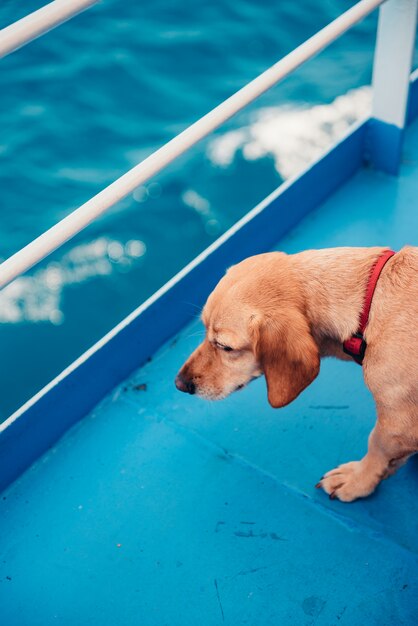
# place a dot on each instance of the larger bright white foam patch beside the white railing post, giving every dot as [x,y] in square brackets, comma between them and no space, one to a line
[294,137]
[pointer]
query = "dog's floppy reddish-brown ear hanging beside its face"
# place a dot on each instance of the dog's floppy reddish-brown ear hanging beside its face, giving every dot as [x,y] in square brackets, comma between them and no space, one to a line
[287,354]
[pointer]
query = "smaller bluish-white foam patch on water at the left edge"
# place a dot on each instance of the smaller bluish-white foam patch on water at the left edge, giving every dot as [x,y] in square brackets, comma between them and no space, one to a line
[37,297]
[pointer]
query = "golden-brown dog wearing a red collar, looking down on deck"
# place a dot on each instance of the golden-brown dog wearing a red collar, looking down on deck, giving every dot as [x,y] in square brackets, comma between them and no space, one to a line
[278,314]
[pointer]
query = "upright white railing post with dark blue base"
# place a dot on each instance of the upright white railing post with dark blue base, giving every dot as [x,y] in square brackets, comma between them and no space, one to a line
[391,78]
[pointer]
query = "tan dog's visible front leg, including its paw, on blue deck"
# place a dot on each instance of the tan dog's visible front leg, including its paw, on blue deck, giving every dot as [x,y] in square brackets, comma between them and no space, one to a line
[388,449]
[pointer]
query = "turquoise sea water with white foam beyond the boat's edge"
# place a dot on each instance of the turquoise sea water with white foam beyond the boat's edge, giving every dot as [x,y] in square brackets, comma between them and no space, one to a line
[91,99]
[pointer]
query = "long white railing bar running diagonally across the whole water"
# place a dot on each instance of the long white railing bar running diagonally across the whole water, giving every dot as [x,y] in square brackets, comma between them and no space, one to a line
[49,241]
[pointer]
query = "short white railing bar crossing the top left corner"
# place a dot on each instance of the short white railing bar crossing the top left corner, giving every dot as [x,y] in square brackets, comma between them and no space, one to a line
[39,22]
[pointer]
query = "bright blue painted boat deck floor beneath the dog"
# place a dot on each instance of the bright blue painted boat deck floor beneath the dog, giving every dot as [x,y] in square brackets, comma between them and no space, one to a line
[163,509]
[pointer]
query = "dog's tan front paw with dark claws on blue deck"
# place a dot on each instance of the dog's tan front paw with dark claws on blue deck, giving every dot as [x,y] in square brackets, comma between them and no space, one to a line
[348,482]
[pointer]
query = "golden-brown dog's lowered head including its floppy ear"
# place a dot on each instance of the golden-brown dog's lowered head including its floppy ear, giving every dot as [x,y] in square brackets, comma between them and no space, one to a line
[255,324]
